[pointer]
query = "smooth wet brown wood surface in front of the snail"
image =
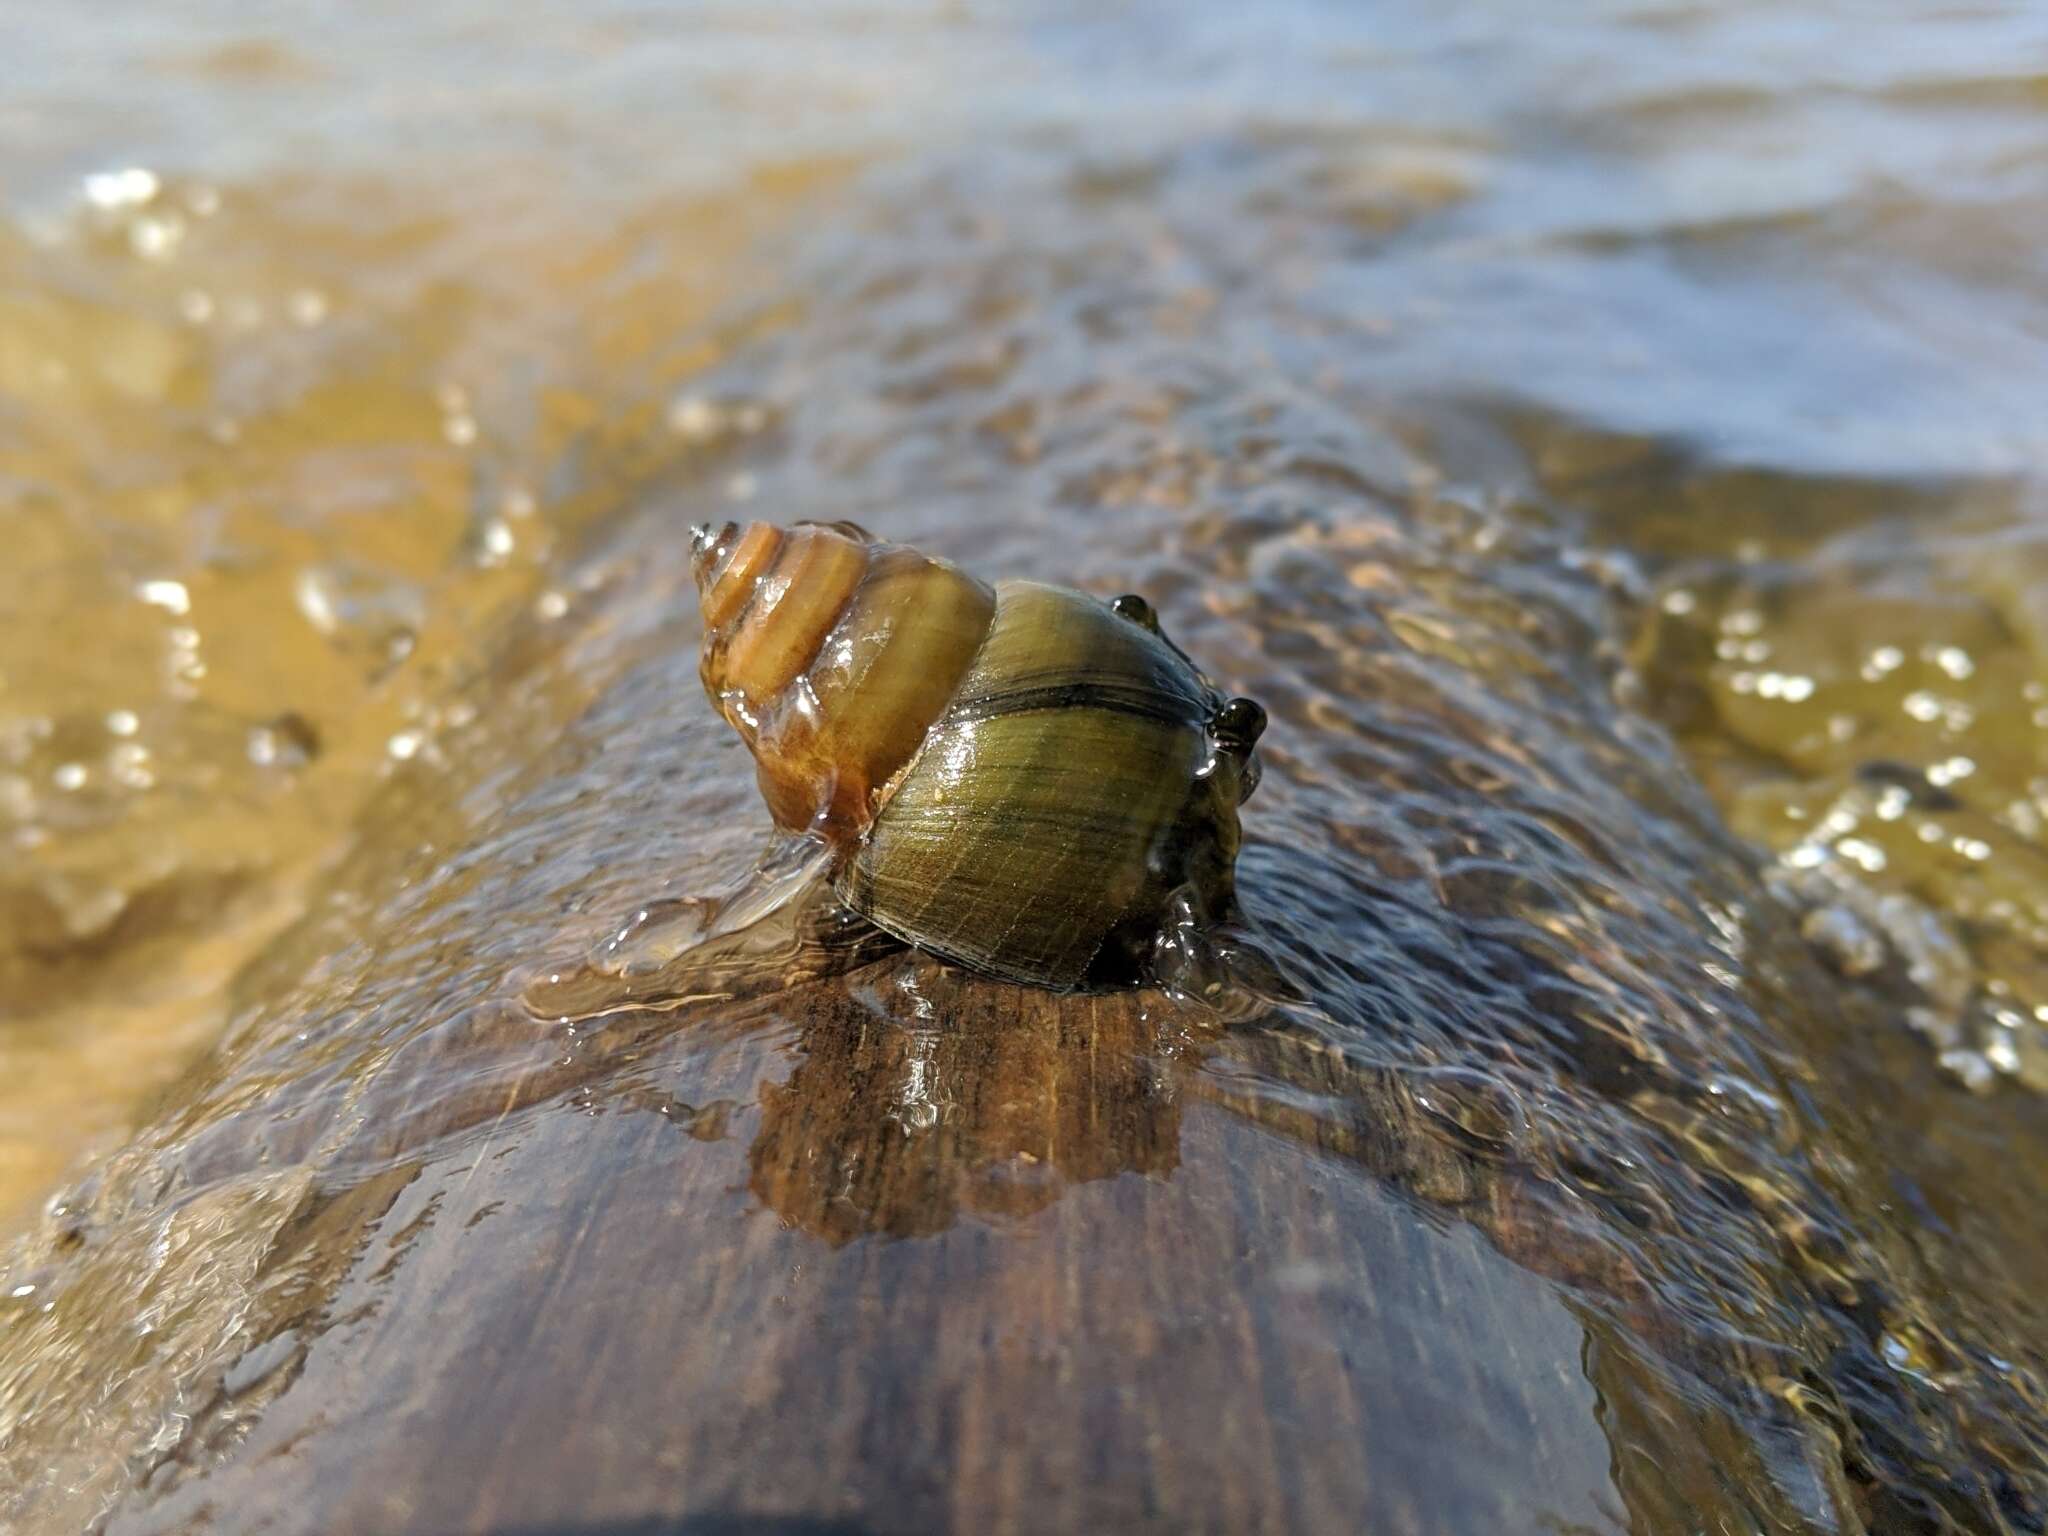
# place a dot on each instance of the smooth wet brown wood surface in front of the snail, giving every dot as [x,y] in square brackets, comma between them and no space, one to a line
[904,1252]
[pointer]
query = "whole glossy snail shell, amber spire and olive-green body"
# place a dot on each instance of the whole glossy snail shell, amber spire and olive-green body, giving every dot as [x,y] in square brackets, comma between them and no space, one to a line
[1023,779]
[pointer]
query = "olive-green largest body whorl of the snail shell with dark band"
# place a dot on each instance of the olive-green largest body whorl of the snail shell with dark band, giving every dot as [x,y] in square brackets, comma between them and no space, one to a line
[1070,790]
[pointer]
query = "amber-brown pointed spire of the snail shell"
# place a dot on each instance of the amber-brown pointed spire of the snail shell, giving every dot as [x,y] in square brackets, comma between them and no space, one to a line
[833,656]
